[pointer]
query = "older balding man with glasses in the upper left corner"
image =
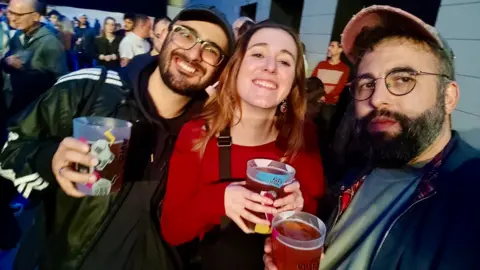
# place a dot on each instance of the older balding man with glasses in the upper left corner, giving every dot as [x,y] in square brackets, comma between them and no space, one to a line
[36,57]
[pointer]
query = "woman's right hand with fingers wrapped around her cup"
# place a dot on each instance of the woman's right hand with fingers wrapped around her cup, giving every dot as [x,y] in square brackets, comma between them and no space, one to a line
[239,201]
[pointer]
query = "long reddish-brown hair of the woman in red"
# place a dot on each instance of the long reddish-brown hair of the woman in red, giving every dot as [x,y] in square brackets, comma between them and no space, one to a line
[219,111]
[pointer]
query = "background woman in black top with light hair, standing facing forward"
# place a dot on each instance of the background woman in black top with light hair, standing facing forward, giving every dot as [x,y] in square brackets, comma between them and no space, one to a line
[106,46]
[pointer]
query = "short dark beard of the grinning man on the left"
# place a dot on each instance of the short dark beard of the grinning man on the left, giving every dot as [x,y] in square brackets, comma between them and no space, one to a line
[175,83]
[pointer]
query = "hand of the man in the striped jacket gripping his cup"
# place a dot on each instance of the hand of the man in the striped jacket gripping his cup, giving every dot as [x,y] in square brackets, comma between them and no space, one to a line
[69,152]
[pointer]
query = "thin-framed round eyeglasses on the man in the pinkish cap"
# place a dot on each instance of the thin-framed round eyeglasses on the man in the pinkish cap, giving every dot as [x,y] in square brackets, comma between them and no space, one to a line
[399,82]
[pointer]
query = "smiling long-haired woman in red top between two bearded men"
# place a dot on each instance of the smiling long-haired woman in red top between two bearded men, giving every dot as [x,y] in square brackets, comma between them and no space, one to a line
[265,73]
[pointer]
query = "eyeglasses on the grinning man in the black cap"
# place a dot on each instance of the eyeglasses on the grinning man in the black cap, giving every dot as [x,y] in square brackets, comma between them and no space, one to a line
[187,39]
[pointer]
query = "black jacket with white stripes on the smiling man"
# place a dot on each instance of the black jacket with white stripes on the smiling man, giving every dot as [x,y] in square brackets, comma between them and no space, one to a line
[73,226]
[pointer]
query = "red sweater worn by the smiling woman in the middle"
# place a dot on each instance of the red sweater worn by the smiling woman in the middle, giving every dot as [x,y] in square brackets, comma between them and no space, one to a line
[194,201]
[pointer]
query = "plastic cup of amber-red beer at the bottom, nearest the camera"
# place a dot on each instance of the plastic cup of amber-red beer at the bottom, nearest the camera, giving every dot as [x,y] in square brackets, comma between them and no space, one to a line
[297,240]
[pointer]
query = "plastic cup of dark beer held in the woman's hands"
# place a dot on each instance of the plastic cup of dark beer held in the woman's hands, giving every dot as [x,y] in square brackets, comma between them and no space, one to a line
[268,178]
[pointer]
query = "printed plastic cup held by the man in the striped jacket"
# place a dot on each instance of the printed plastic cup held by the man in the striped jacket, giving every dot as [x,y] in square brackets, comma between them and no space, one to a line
[108,139]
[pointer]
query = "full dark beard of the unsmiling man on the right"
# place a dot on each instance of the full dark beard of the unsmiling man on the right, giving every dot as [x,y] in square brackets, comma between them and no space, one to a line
[415,136]
